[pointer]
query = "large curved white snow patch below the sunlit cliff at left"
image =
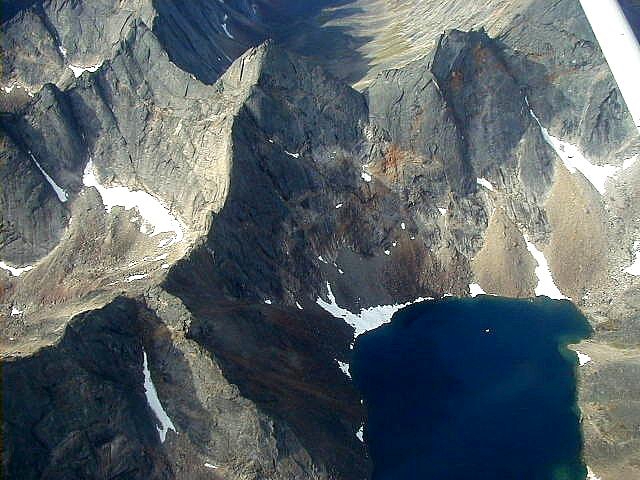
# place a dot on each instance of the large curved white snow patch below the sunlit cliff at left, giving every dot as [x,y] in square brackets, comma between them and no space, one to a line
[150,208]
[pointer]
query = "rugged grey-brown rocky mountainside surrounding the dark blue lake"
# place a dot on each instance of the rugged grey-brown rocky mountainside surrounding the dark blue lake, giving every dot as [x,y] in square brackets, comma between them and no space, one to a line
[169,224]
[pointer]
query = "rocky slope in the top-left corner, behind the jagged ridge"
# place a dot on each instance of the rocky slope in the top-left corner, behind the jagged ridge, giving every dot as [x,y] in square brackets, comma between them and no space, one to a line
[44,41]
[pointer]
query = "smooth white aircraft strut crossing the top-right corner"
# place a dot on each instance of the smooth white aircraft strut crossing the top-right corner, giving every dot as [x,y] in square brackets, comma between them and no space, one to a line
[620,48]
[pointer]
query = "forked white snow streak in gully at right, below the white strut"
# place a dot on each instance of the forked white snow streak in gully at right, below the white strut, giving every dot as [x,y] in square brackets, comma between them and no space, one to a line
[574,160]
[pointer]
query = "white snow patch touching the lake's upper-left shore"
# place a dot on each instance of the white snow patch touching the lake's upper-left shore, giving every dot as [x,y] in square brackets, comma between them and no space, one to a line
[368,318]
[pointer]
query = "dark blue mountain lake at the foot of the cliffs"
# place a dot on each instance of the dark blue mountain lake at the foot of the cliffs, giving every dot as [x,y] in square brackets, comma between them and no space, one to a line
[473,389]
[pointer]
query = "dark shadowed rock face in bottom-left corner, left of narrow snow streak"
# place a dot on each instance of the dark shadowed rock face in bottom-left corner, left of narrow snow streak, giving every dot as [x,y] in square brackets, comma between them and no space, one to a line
[87,416]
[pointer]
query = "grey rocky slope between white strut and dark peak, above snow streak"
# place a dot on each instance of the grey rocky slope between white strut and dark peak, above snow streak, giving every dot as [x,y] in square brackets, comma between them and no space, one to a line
[569,85]
